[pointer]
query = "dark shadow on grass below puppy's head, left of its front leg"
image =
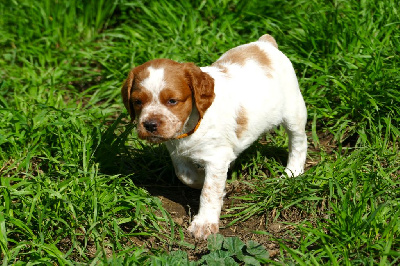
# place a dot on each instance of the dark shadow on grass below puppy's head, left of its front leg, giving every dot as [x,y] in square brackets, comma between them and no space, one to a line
[120,152]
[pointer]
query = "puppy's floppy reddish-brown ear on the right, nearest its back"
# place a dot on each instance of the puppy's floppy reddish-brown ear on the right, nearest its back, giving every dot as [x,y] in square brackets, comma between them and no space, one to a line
[202,86]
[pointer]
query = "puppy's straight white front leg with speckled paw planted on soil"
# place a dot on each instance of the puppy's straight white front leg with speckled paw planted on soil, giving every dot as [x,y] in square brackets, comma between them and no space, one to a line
[206,222]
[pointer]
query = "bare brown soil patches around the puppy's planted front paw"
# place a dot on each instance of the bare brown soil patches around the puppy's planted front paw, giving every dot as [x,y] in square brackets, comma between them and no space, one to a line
[182,204]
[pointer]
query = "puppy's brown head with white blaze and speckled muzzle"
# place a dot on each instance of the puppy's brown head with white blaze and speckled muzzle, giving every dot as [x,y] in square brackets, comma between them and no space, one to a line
[161,94]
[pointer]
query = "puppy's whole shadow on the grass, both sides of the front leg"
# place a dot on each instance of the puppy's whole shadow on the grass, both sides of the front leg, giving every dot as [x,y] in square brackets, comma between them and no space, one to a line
[150,167]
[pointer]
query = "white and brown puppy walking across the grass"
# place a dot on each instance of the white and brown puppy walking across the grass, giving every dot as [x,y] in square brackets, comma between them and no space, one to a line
[208,115]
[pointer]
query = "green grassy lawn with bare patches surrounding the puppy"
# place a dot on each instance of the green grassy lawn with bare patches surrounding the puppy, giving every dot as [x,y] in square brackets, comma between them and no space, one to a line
[78,187]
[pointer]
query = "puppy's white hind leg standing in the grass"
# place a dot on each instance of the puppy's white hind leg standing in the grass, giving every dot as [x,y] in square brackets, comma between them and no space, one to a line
[295,127]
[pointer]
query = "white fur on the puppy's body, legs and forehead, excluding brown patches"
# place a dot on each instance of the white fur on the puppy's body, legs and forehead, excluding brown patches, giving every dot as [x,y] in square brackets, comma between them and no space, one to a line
[269,97]
